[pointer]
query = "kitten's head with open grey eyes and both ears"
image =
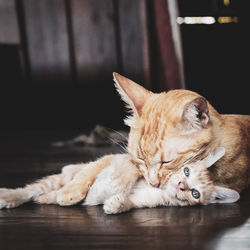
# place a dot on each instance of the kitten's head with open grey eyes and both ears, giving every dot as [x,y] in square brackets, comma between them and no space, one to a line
[192,184]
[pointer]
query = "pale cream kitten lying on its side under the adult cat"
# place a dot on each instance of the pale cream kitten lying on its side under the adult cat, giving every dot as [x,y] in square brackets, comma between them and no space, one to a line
[189,185]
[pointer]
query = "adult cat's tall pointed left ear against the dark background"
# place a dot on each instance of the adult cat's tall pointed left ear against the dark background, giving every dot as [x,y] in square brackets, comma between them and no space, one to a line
[131,93]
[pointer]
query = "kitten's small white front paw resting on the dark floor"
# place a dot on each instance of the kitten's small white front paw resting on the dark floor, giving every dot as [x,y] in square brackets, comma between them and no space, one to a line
[114,205]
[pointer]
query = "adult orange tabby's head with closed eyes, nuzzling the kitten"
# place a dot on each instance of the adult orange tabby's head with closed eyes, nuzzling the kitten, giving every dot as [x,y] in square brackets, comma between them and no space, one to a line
[166,129]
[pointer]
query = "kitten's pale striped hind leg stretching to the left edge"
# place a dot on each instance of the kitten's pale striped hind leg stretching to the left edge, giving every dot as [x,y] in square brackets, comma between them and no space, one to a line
[10,198]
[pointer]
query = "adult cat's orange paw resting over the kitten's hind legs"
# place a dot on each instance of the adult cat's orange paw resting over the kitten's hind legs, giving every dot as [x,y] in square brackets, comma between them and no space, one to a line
[71,195]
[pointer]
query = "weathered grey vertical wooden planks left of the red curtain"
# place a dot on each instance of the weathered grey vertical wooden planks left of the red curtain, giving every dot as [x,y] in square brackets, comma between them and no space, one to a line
[73,41]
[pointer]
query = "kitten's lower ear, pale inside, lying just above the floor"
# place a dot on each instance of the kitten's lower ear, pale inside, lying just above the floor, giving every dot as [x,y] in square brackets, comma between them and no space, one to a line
[224,195]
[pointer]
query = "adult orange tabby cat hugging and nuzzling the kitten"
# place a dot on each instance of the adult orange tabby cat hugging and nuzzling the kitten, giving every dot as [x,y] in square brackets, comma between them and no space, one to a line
[171,128]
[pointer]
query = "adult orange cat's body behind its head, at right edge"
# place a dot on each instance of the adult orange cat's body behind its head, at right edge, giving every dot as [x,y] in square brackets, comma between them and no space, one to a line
[233,133]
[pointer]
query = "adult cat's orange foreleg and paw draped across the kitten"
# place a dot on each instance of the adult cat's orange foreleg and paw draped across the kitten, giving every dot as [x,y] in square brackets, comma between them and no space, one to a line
[76,190]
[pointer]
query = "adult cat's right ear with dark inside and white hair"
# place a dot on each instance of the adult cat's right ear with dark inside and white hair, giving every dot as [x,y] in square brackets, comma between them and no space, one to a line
[196,114]
